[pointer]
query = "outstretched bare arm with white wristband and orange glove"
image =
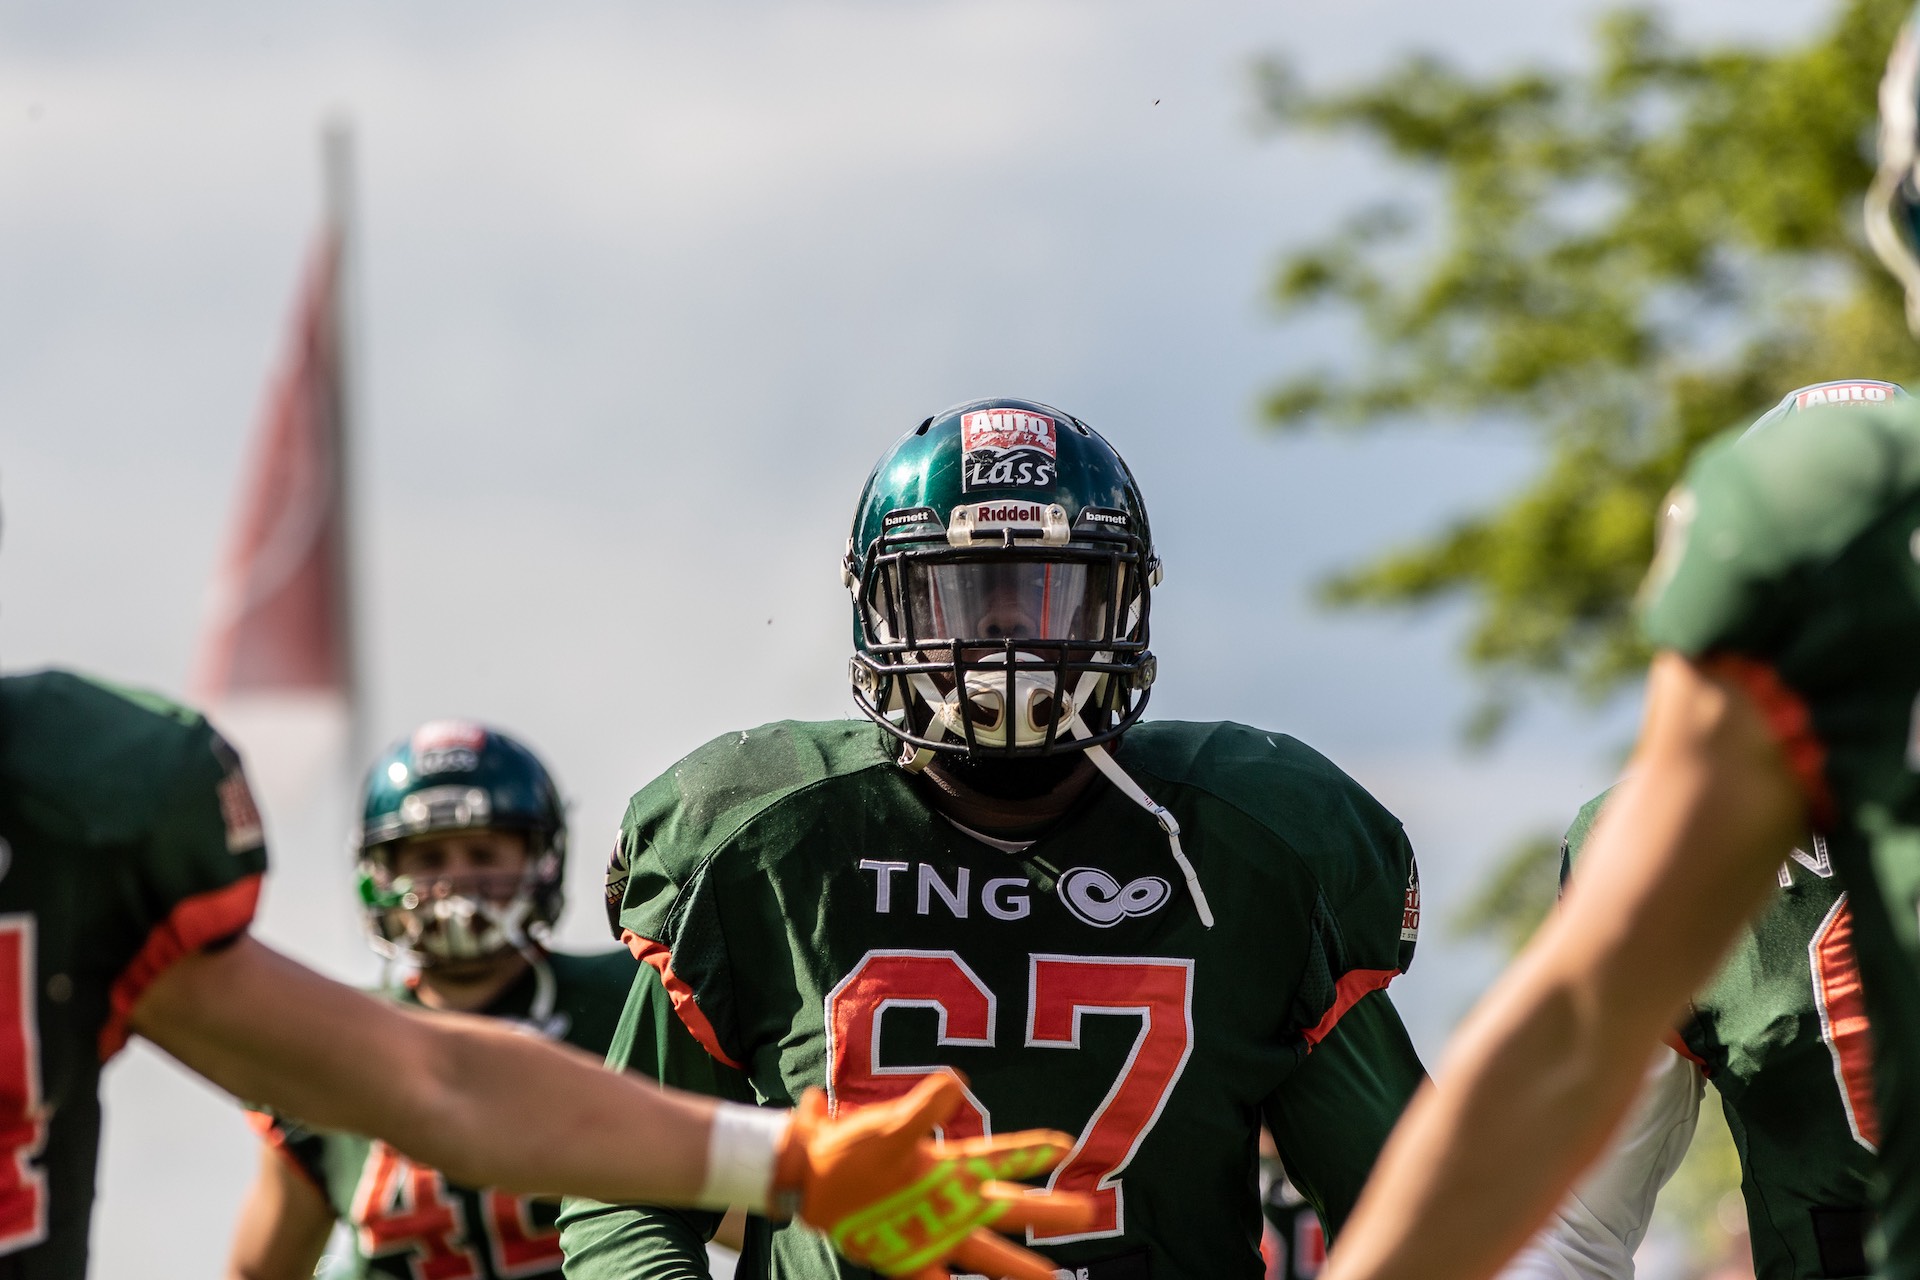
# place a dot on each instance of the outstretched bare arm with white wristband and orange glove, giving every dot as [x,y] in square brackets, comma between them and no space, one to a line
[491,1106]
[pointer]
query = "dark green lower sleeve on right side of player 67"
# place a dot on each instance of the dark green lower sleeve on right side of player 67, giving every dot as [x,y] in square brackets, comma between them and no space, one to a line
[1333,1114]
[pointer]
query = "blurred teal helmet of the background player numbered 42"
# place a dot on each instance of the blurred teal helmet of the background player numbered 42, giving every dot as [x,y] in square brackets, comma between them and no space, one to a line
[460,776]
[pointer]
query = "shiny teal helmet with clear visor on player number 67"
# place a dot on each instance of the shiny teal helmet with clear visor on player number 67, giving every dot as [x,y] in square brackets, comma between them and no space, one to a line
[1001,567]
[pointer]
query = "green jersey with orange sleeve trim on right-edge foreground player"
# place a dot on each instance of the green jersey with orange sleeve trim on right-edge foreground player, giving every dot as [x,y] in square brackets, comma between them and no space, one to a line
[1790,563]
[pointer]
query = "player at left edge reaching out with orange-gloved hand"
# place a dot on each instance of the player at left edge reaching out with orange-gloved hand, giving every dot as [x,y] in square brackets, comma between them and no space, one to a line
[132,859]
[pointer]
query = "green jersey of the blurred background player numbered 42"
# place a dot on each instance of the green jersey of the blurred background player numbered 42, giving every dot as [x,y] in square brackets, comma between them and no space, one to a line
[410,1221]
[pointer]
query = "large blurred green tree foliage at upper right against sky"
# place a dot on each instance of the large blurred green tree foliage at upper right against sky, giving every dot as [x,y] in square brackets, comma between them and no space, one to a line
[1623,260]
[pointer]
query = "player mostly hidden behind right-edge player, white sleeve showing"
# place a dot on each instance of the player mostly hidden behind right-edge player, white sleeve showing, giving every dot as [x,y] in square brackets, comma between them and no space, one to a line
[1781,1035]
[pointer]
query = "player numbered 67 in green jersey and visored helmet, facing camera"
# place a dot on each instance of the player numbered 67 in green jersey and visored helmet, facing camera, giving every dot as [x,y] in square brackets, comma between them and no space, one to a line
[1151,936]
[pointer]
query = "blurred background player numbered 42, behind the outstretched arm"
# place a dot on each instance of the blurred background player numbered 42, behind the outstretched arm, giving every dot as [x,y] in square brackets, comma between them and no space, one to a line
[462,863]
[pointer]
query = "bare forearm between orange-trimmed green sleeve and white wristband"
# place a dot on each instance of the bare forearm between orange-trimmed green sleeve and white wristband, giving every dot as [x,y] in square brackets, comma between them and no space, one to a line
[469,1097]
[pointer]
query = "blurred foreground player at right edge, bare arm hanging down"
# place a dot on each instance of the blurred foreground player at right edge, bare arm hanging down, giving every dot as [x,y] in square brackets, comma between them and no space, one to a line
[1785,607]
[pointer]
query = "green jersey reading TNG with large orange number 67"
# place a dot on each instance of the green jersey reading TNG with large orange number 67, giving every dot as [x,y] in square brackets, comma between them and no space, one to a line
[807,918]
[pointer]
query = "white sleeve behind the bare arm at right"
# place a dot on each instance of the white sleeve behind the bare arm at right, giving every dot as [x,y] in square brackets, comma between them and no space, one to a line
[1595,1233]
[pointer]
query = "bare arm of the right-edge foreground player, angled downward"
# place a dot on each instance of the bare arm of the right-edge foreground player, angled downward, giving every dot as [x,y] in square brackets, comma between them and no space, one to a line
[1552,1056]
